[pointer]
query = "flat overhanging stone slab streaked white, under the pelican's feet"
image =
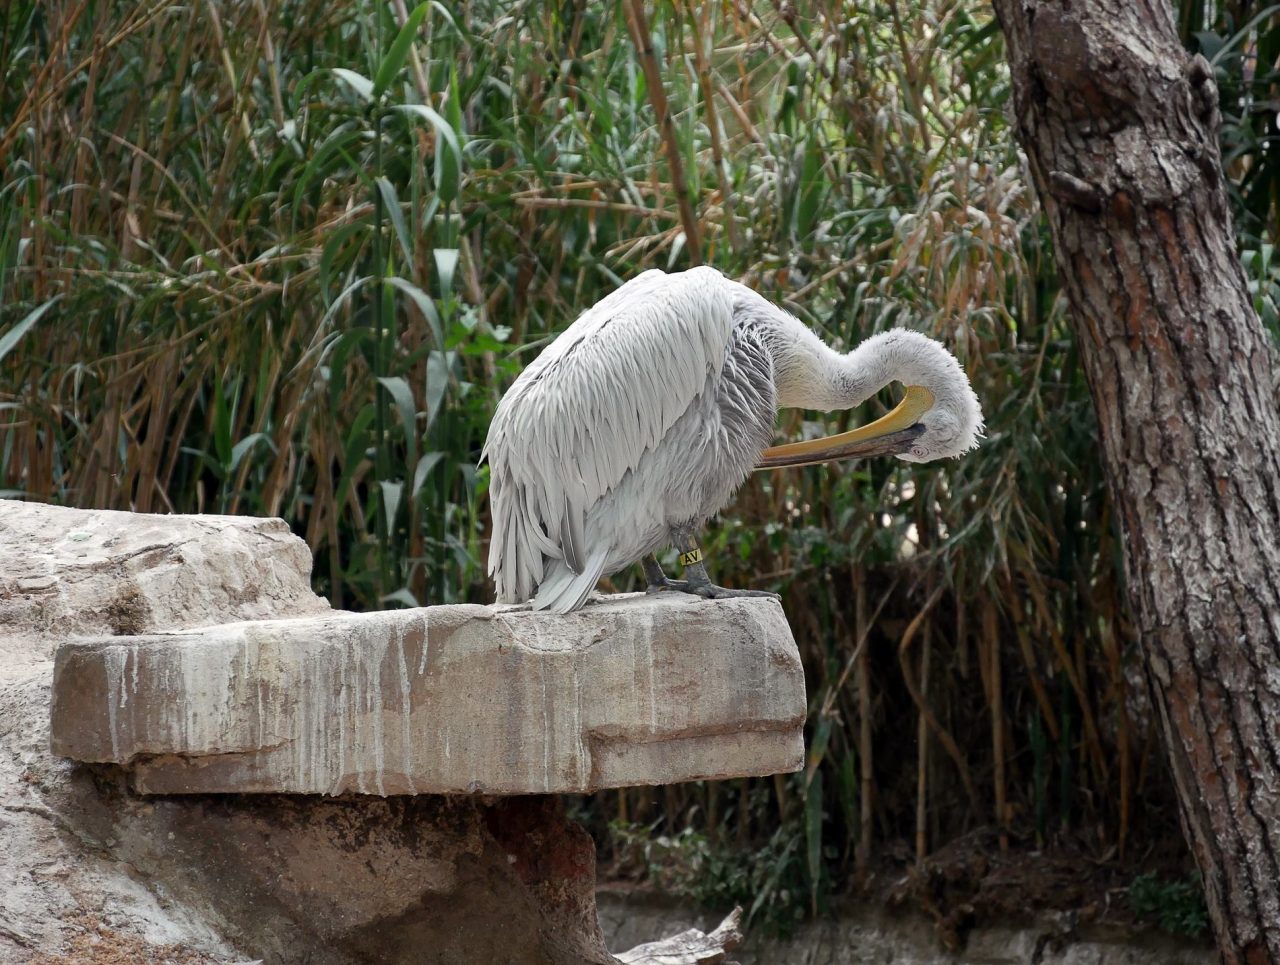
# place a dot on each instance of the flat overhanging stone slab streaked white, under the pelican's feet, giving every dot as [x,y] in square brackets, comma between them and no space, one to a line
[459,699]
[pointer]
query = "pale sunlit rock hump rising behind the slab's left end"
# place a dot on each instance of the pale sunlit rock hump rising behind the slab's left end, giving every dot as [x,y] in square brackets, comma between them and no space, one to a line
[97,573]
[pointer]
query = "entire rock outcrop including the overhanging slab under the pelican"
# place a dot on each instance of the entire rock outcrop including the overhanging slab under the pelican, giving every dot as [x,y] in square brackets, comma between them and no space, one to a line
[92,870]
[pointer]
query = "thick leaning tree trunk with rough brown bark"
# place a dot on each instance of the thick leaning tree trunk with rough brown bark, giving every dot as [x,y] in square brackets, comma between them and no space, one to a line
[1121,129]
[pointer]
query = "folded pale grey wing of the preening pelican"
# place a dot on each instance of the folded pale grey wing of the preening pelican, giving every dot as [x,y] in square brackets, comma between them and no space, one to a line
[587,411]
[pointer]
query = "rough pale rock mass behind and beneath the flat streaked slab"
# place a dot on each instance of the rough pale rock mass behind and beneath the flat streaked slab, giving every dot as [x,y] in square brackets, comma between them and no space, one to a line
[90,872]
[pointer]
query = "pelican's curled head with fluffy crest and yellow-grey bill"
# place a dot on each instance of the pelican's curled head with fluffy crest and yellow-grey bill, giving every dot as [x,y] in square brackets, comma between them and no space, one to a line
[939,417]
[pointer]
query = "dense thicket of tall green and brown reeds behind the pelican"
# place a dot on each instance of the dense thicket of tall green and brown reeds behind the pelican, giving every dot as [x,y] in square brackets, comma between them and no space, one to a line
[284,258]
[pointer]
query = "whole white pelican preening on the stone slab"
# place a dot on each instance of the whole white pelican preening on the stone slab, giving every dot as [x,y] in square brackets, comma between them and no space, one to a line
[642,420]
